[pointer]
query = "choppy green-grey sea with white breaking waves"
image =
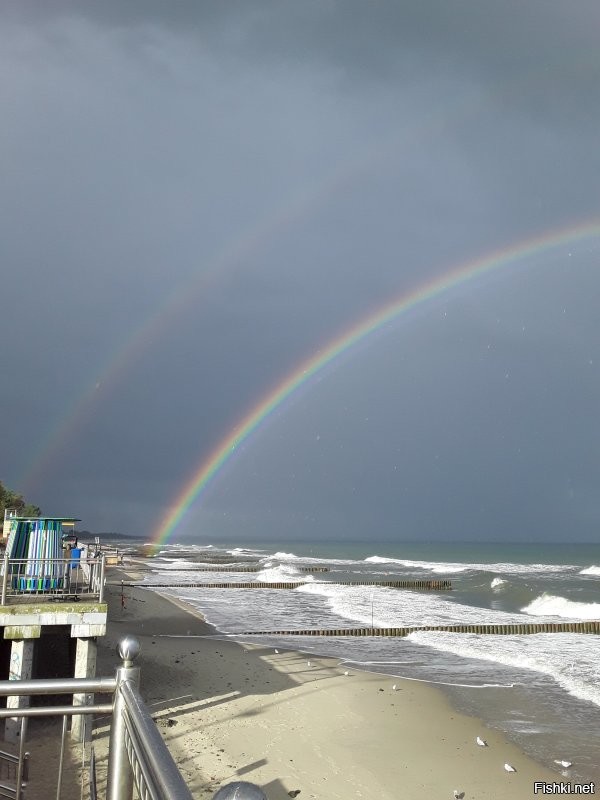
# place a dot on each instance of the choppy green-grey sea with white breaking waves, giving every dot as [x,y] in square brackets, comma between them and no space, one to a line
[541,690]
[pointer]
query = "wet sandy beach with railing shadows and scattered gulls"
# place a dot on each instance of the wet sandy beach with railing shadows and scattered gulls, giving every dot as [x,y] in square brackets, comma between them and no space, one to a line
[288,721]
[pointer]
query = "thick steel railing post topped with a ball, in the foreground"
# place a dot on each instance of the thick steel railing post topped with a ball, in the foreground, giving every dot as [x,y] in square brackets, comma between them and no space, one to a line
[120,775]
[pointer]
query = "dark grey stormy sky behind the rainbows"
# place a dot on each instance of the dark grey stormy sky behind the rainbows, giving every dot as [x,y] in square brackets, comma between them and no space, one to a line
[197,196]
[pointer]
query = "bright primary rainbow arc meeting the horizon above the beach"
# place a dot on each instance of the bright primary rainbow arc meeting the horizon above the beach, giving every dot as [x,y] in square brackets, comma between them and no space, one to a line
[210,466]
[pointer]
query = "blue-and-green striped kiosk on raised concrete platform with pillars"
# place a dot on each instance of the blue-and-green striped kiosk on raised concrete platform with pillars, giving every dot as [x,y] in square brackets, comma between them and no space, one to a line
[52,606]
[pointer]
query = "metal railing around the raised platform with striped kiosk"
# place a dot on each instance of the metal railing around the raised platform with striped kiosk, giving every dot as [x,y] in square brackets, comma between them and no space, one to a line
[58,578]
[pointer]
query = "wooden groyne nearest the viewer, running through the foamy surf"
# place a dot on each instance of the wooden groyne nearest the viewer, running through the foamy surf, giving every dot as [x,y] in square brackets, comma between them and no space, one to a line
[590,626]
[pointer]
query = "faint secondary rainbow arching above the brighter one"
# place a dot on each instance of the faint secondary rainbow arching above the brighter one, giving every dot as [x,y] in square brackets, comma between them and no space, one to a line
[80,407]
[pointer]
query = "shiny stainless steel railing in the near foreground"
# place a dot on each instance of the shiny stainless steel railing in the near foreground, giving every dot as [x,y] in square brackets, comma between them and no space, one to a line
[137,755]
